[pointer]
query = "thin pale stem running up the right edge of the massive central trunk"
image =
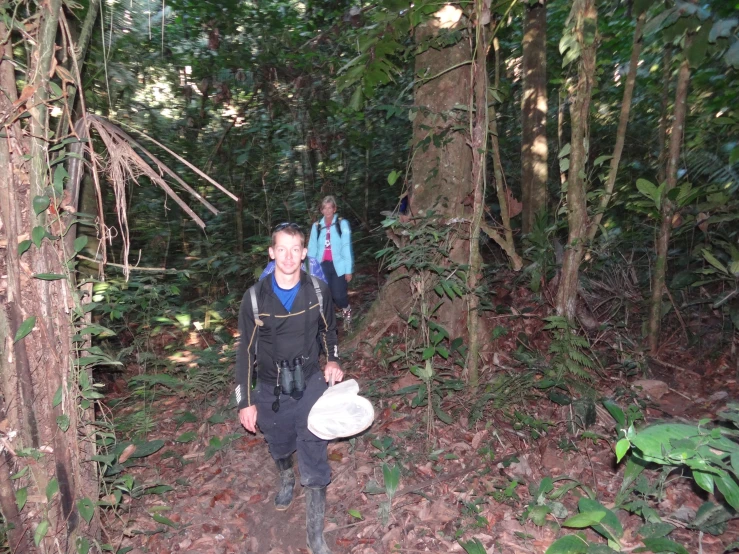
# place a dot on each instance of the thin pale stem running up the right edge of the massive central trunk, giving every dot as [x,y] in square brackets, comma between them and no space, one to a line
[478,144]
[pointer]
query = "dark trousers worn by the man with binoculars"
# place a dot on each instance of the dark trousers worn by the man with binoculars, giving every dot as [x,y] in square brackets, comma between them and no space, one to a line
[287,430]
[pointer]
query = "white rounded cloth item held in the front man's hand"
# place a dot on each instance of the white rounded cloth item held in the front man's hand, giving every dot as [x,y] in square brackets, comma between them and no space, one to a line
[340,412]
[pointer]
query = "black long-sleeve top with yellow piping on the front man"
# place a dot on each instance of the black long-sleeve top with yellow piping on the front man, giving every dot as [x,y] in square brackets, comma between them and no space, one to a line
[305,331]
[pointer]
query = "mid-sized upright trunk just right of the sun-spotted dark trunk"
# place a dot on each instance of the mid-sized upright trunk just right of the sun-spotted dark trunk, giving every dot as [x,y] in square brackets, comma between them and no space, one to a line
[585,16]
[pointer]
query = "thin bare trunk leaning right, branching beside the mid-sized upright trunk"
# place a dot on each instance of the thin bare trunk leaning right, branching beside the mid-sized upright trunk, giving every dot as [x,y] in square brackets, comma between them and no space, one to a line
[623,122]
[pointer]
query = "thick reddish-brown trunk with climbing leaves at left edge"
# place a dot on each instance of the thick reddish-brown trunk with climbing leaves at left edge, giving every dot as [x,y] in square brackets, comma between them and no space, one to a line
[39,375]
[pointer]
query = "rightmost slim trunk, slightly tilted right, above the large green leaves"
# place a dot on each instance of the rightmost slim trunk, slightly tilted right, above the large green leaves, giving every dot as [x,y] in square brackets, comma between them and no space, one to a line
[667,207]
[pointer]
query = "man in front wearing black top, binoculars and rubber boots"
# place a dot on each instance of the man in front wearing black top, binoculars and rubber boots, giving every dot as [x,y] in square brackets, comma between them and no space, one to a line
[291,328]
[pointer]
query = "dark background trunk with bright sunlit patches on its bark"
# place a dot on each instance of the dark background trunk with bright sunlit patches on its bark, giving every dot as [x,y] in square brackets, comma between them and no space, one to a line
[534,148]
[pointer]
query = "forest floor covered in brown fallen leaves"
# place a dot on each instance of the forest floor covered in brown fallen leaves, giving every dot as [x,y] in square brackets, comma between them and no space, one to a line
[462,481]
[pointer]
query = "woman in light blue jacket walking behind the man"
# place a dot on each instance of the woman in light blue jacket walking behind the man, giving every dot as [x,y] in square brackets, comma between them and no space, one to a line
[331,244]
